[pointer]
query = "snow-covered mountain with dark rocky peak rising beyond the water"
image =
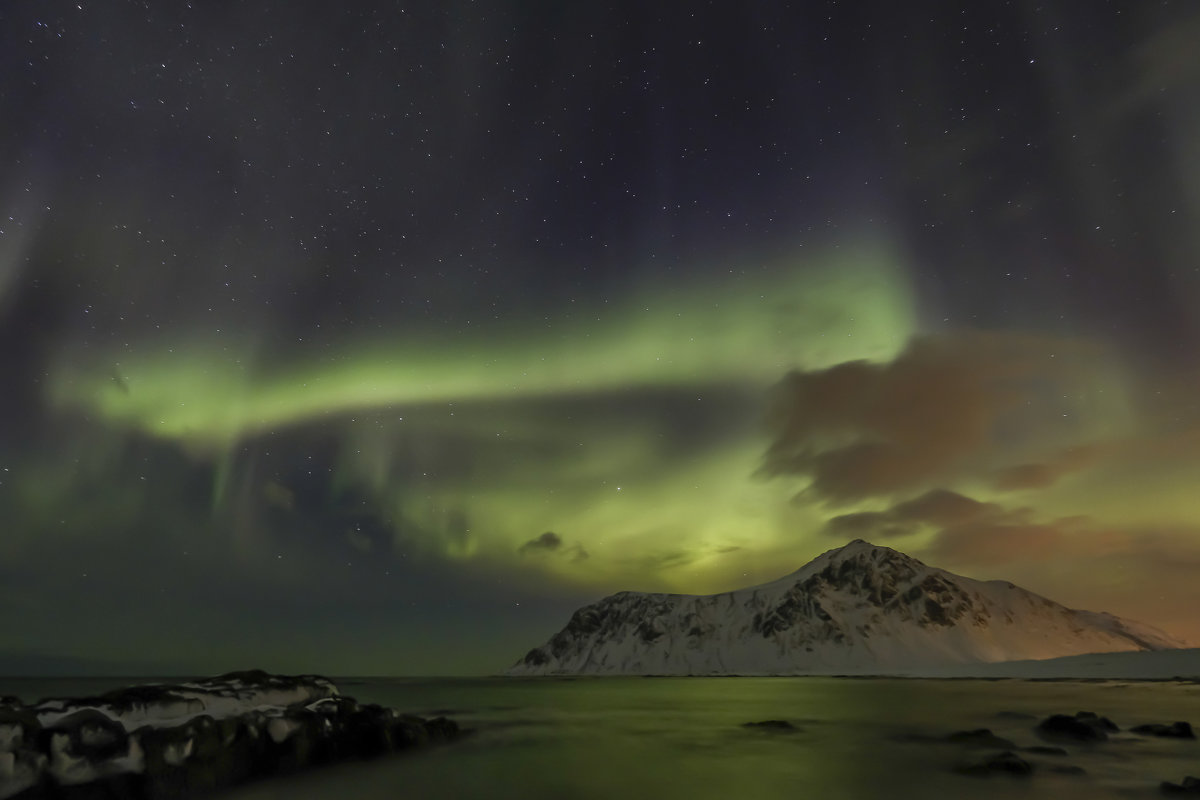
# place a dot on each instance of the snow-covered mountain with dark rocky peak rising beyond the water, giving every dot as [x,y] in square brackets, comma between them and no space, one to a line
[859,609]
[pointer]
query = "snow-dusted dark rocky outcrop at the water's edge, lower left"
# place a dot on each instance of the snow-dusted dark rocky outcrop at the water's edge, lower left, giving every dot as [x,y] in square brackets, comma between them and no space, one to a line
[190,739]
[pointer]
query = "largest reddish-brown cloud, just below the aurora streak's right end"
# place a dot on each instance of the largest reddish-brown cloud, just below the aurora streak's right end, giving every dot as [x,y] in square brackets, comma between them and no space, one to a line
[938,412]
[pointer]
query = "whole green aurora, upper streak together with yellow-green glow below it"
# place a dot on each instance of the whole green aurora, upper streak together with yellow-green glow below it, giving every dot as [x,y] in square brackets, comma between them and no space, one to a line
[530,410]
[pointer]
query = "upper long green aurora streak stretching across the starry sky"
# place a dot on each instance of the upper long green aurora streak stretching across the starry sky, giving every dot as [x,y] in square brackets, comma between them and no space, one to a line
[842,308]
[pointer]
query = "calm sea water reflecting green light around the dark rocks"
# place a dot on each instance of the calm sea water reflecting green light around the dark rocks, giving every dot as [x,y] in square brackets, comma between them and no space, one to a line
[667,738]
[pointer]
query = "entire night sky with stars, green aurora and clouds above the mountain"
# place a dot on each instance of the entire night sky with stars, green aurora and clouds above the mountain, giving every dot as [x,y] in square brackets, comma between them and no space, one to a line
[374,339]
